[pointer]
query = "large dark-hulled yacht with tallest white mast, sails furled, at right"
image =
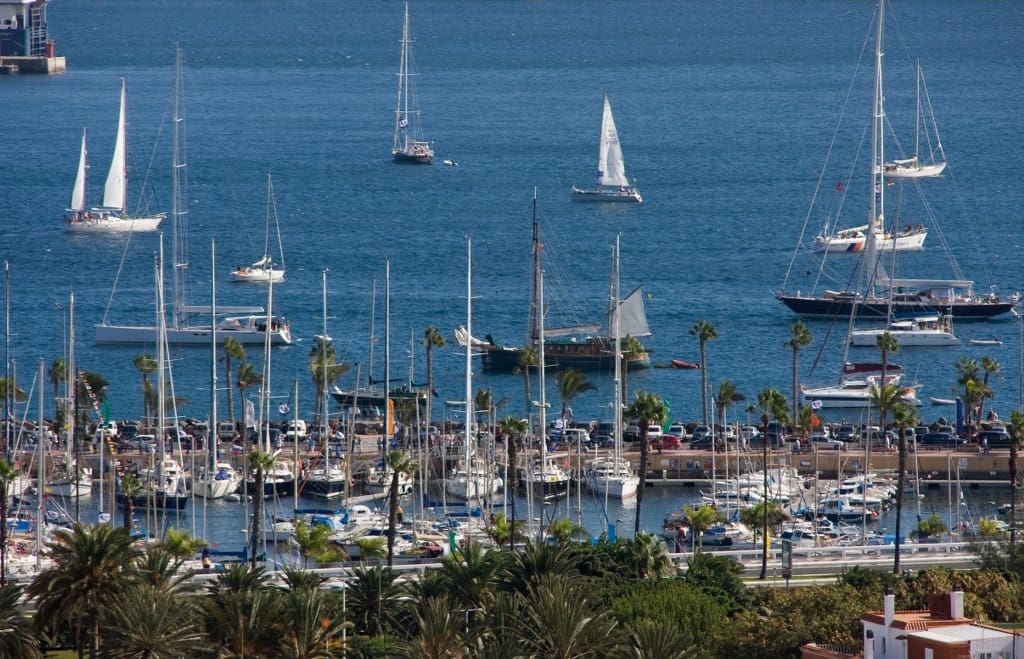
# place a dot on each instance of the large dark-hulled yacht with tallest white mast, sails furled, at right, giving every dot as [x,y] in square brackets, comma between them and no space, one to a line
[880,295]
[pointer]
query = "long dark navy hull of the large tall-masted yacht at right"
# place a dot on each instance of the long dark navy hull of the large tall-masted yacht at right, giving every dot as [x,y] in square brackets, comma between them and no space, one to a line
[832,307]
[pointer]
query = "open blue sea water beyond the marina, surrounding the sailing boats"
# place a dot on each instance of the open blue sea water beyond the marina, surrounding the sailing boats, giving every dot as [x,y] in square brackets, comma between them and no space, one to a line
[726,112]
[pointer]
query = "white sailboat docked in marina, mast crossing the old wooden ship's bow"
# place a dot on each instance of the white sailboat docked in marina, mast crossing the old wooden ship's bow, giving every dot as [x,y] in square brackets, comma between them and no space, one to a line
[474,479]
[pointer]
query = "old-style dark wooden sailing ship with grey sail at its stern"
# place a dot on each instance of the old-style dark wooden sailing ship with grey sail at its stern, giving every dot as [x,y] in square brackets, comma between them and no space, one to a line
[580,346]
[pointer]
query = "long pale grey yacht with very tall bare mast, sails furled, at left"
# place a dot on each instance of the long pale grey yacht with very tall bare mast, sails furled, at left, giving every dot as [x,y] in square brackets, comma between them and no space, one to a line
[247,329]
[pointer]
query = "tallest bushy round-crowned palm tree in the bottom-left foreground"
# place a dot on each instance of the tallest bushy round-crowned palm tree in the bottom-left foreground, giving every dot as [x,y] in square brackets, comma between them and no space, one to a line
[93,566]
